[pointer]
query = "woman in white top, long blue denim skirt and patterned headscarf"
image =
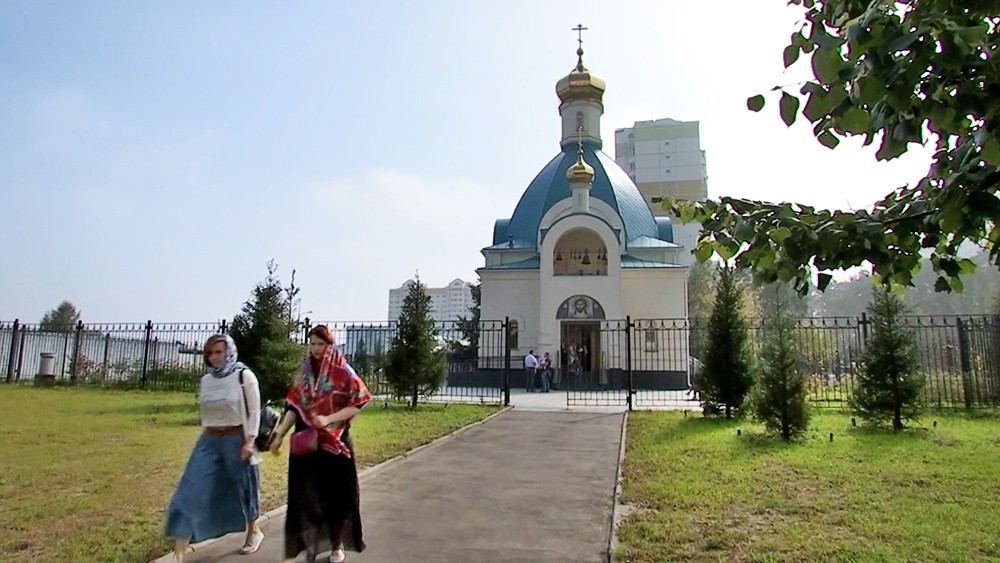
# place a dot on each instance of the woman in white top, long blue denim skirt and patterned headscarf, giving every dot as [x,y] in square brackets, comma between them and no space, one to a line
[219,492]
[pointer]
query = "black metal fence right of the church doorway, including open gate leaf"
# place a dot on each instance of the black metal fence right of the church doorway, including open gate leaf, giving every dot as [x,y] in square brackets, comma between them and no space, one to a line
[653,363]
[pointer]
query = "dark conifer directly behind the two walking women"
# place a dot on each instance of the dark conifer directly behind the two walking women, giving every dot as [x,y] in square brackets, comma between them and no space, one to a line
[262,333]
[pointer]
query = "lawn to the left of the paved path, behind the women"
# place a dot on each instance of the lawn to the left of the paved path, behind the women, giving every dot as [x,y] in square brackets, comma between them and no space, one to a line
[86,474]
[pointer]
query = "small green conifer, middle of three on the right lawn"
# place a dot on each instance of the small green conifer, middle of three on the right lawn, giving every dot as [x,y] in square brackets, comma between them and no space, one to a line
[779,399]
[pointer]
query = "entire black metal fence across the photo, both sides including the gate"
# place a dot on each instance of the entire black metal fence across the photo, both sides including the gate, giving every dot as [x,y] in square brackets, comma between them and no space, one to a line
[638,363]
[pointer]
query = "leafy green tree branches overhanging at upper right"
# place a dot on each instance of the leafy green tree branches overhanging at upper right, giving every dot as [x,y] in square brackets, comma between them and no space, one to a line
[898,74]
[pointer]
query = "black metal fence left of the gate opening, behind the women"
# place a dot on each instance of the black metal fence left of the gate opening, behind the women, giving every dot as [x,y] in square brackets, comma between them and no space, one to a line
[168,356]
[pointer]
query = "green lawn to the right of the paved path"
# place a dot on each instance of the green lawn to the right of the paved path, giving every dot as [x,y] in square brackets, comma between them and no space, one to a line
[698,492]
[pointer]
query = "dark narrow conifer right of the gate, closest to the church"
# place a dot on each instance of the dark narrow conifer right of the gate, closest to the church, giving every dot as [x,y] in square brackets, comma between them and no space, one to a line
[726,377]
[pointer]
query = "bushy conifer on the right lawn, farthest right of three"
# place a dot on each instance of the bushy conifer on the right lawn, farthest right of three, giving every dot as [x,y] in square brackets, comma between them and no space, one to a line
[889,382]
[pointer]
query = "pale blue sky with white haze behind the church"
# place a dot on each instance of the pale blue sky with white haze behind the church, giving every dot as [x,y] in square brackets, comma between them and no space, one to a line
[154,155]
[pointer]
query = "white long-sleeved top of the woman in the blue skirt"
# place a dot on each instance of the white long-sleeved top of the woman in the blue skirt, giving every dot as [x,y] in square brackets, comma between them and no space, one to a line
[221,401]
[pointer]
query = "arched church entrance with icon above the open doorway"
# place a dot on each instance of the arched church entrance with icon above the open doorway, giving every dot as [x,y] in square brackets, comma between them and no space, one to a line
[580,355]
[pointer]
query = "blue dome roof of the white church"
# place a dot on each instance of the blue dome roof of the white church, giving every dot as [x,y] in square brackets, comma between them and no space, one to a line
[611,185]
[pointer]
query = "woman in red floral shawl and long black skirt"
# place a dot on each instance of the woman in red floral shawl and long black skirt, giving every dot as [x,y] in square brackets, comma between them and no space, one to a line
[323,494]
